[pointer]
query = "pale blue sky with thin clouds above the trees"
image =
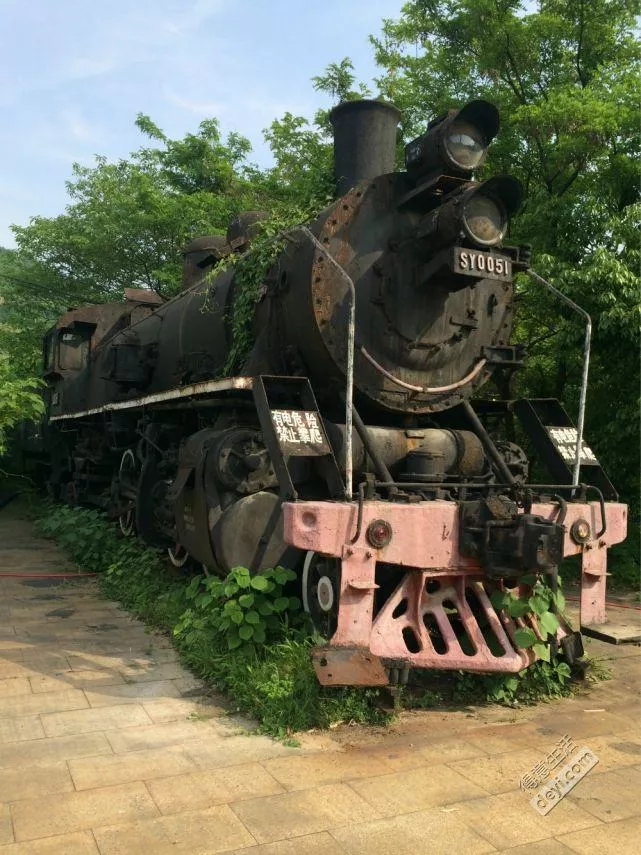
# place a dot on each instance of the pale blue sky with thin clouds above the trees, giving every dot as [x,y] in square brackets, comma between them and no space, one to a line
[74,73]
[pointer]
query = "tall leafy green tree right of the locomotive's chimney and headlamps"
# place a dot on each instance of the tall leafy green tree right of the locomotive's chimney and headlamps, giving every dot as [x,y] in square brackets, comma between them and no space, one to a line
[564,76]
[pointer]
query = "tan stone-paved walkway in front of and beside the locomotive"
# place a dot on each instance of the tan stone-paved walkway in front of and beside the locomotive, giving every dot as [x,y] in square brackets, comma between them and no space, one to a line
[107,745]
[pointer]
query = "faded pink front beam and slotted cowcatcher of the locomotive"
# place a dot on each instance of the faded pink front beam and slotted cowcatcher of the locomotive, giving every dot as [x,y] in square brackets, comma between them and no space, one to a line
[437,587]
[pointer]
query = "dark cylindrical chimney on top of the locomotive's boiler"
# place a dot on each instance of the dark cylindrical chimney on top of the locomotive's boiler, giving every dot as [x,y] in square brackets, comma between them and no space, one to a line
[364,141]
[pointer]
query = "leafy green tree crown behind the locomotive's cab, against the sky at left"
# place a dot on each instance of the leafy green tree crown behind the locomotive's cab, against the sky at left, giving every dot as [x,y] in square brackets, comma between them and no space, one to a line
[128,222]
